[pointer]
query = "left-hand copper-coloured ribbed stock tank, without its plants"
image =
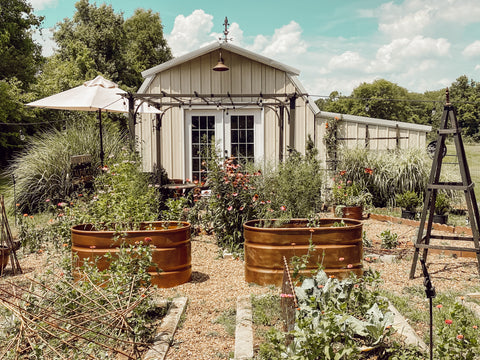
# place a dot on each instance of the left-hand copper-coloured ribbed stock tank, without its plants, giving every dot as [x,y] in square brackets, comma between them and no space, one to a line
[171,252]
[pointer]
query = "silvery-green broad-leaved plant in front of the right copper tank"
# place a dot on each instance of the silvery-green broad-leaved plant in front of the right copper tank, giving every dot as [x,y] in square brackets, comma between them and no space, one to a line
[334,320]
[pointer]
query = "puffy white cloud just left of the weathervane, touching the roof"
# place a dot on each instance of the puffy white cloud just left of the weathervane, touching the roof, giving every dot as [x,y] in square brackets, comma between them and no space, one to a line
[190,32]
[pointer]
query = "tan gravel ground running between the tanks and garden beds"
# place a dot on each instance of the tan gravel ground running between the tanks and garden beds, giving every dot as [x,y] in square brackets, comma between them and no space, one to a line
[217,282]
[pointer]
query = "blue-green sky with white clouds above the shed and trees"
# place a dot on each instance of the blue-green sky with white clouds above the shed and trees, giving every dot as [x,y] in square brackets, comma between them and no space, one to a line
[420,45]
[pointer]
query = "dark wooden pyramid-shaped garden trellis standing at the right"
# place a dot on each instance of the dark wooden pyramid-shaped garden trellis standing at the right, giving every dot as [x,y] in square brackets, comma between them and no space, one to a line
[448,127]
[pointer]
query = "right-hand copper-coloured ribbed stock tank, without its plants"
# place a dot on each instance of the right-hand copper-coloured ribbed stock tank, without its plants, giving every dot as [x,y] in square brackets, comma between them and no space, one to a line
[338,248]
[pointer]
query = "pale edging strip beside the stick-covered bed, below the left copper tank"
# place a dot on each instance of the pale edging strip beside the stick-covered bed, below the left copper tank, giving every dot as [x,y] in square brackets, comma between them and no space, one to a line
[166,330]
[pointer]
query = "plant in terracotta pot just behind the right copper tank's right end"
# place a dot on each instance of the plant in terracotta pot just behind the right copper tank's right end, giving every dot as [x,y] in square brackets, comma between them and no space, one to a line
[349,198]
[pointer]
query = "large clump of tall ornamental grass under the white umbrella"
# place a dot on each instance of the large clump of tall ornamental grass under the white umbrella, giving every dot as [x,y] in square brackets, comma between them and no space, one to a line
[42,170]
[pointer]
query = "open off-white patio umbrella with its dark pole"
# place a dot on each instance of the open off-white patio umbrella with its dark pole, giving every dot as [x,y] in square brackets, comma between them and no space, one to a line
[94,95]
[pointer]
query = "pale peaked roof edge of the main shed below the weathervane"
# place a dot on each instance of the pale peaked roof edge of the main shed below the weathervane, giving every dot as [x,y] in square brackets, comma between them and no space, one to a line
[217,46]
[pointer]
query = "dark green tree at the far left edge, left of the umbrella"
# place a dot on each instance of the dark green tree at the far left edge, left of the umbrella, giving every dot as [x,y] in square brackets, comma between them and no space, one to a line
[20,60]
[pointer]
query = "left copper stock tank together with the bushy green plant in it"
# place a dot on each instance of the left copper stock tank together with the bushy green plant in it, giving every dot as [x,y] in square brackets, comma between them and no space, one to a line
[123,212]
